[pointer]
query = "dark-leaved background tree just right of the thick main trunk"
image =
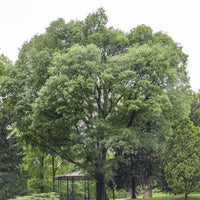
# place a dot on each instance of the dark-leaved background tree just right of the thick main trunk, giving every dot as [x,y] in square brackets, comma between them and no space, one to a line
[139,166]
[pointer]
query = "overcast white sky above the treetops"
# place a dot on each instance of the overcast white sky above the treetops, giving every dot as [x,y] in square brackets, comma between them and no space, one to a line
[20,20]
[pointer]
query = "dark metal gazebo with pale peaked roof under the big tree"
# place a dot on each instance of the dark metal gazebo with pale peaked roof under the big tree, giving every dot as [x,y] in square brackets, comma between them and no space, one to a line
[72,177]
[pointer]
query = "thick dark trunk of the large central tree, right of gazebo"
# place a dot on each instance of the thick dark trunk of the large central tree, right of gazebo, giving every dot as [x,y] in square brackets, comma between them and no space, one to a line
[100,187]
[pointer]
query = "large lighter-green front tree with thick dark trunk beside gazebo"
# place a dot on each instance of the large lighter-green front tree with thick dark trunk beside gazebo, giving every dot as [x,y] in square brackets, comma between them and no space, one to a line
[87,108]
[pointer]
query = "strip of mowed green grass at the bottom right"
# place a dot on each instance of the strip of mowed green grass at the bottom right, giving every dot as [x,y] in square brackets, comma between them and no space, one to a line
[162,196]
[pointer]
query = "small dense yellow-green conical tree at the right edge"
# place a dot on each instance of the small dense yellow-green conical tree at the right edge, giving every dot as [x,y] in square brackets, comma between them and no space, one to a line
[183,158]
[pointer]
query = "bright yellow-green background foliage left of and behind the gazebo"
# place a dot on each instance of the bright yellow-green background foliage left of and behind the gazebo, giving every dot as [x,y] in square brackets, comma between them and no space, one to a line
[41,167]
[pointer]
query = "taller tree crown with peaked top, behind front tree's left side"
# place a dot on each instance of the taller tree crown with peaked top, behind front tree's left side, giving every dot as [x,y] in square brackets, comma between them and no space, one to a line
[30,72]
